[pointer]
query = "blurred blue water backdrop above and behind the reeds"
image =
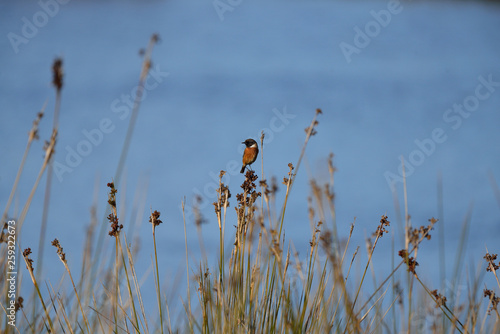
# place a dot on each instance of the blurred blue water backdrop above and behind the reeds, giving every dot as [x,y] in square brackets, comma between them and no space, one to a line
[418,80]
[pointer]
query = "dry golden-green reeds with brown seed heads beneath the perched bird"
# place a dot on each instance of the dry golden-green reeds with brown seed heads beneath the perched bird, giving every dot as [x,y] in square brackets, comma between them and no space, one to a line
[258,283]
